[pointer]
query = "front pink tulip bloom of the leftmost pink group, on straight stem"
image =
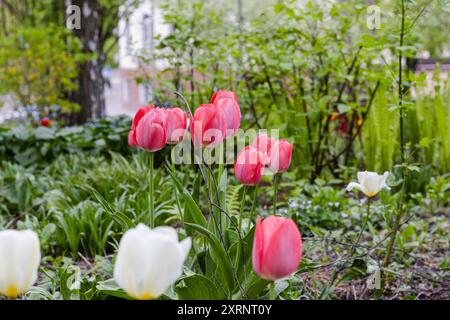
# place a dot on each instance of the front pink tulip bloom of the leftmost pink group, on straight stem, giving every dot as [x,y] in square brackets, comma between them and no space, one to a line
[151,132]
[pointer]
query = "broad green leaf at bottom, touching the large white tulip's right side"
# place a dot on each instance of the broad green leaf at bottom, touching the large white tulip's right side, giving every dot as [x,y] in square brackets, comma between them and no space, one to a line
[198,287]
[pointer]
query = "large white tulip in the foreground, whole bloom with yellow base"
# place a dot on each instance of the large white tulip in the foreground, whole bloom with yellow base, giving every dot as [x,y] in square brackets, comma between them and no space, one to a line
[149,261]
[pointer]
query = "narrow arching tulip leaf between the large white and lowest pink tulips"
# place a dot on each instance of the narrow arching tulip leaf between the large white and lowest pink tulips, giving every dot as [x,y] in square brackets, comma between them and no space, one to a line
[218,253]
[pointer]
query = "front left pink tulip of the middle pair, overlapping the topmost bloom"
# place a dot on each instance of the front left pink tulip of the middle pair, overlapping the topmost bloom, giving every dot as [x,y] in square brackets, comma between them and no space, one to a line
[208,127]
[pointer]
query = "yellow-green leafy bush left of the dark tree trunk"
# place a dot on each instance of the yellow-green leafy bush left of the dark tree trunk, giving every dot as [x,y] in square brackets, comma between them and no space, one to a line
[39,66]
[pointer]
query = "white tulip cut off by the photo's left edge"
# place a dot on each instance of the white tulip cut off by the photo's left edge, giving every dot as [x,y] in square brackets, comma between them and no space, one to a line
[20,257]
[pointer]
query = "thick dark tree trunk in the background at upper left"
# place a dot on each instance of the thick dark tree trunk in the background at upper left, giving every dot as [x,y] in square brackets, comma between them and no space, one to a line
[90,92]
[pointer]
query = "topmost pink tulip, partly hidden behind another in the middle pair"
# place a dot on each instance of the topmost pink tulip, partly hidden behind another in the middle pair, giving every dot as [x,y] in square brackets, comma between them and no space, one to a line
[227,102]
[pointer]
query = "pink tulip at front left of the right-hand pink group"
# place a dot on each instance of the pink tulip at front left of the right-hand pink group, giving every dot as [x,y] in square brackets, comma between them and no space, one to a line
[249,166]
